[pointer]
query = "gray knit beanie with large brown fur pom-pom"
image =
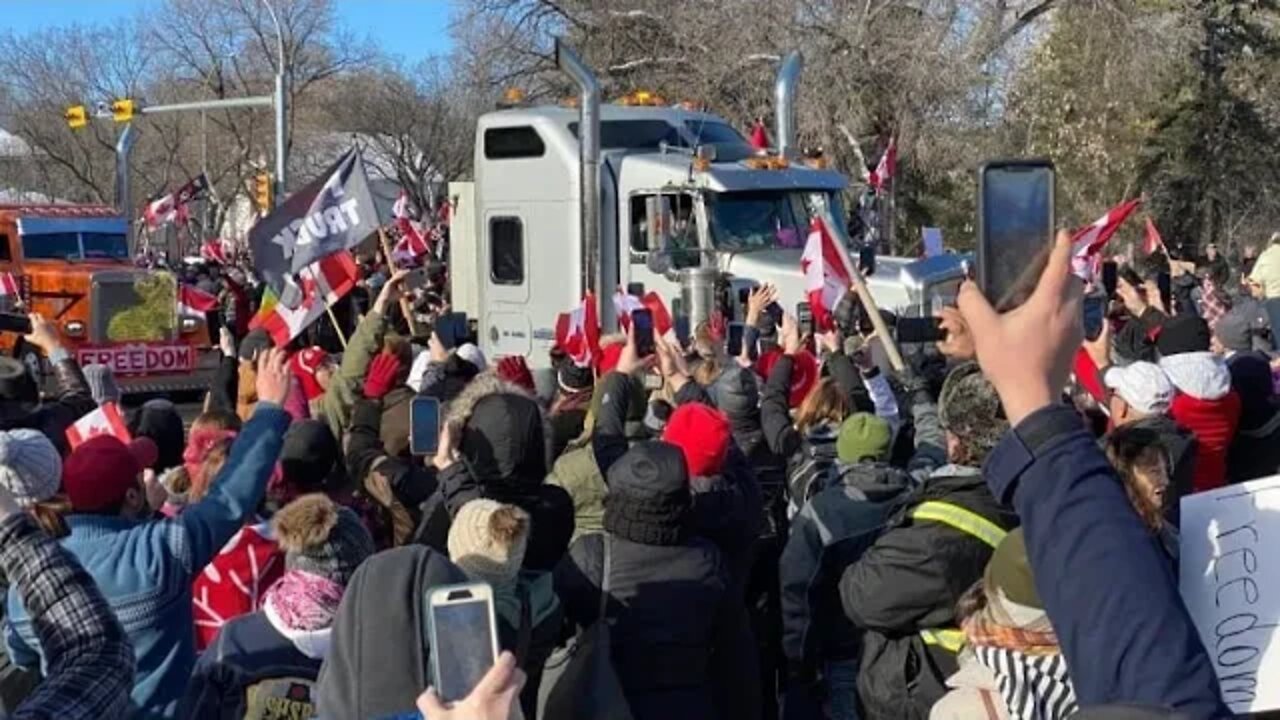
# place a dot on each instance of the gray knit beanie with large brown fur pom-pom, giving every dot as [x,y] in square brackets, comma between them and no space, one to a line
[323,539]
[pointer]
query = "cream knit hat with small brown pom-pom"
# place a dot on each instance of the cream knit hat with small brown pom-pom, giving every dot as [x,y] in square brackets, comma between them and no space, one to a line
[487,541]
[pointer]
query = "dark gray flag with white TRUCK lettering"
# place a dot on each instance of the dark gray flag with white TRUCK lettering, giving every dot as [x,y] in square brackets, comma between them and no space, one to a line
[333,213]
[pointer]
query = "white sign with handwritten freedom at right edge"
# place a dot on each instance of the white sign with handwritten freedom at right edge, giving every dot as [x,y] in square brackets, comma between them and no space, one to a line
[1232,587]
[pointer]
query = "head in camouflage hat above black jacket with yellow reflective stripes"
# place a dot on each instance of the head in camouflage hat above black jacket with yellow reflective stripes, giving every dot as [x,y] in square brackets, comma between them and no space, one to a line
[970,409]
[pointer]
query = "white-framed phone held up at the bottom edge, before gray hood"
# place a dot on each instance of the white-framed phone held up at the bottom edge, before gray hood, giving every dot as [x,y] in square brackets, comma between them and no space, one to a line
[464,637]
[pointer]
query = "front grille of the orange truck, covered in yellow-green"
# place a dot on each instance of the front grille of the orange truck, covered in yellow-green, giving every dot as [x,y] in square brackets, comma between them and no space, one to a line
[134,308]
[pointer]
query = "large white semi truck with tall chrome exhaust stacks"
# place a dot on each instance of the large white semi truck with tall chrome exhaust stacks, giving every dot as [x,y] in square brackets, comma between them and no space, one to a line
[602,197]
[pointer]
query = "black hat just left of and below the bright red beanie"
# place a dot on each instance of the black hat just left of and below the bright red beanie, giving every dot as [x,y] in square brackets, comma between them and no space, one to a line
[650,498]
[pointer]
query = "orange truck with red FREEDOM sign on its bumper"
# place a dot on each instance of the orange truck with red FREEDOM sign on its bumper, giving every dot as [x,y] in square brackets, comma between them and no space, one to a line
[72,265]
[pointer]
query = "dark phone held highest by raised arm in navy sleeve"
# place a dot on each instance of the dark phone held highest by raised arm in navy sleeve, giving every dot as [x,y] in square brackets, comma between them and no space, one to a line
[1017,218]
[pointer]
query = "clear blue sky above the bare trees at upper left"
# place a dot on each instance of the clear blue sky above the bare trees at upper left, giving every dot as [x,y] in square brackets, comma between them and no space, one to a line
[412,29]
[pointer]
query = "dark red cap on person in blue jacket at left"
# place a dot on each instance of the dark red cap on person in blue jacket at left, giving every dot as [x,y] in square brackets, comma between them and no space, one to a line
[102,470]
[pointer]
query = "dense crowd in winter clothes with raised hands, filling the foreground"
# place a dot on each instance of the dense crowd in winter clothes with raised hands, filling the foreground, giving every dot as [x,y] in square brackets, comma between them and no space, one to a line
[797,532]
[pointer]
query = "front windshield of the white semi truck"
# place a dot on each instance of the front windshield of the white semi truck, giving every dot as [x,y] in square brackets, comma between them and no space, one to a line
[766,220]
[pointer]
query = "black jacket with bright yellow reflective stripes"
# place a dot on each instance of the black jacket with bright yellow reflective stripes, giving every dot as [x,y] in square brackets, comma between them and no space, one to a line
[909,581]
